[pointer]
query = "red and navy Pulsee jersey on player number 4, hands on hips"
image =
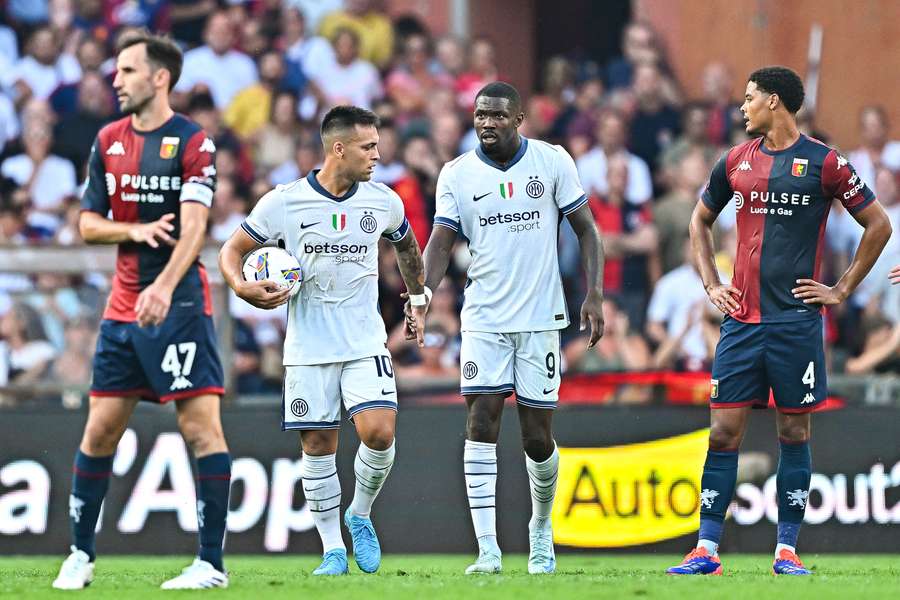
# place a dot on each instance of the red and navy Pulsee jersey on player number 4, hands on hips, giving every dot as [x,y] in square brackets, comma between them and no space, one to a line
[782,199]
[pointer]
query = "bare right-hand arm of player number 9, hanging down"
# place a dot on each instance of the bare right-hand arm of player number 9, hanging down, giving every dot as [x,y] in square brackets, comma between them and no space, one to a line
[585,228]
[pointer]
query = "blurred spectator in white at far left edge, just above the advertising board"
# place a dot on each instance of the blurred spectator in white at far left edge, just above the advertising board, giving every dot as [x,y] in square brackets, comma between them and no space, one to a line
[28,352]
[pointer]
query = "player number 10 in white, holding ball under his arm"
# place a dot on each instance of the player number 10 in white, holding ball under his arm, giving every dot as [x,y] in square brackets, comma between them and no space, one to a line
[335,352]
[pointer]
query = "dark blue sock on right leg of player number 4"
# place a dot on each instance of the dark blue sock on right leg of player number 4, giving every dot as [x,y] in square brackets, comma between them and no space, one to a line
[792,485]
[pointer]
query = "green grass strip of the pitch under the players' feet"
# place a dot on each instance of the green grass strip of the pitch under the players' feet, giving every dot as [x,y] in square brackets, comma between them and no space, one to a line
[433,577]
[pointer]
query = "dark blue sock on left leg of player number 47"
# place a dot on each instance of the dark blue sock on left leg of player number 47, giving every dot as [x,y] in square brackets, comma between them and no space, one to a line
[90,480]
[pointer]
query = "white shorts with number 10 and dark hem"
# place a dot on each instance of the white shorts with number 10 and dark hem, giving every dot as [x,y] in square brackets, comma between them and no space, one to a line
[313,393]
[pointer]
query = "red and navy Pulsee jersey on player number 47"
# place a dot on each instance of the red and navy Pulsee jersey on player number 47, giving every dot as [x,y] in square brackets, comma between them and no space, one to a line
[137,177]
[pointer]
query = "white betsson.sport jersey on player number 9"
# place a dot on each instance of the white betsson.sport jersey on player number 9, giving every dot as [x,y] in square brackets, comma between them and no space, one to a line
[510,216]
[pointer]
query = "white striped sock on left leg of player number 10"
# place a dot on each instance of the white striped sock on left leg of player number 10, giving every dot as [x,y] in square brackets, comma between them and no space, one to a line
[323,494]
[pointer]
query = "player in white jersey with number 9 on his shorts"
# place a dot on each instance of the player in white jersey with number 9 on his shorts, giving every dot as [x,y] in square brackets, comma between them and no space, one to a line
[507,198]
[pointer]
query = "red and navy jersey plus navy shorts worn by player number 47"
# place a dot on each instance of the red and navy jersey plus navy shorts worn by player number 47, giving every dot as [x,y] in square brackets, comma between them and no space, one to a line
[138,177]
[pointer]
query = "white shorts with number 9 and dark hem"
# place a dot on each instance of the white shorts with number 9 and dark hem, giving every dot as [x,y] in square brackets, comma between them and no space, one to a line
[527,363]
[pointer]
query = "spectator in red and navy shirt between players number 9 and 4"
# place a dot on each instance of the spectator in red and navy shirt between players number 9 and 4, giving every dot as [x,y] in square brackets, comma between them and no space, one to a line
[629,239]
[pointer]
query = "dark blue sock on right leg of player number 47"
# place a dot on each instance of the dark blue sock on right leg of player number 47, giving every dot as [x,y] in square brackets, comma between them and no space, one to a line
[212,505]
